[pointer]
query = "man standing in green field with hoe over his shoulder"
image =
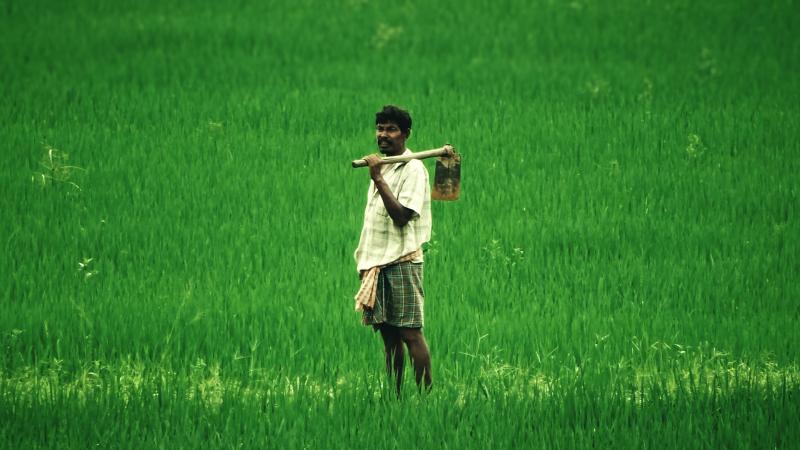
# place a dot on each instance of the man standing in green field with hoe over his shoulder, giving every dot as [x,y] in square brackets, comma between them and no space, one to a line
[397,221]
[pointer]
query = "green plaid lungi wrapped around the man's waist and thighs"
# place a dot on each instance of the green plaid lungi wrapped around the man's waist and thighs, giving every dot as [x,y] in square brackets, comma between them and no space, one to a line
[400,298]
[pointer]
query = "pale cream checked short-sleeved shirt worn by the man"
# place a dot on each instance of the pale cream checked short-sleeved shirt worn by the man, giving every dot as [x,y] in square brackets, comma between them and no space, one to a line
[381,240]
